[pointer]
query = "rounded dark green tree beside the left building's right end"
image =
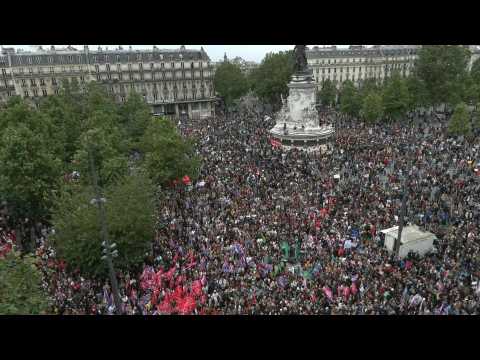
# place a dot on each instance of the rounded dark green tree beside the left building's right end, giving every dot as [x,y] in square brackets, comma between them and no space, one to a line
[230,82]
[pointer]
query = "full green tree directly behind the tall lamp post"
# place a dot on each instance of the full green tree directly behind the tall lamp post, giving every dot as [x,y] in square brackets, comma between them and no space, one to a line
[130,216]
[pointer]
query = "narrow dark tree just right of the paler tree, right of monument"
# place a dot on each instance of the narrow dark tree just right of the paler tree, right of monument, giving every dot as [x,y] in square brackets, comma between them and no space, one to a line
[396,97]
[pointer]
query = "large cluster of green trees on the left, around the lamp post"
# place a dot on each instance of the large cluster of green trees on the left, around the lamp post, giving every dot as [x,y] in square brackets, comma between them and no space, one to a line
[46,157]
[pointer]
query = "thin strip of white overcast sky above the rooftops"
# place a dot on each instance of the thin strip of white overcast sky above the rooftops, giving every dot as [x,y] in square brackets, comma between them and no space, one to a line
[247,52]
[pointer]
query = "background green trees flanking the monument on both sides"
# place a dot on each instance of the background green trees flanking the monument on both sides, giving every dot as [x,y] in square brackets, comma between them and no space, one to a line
[440,78]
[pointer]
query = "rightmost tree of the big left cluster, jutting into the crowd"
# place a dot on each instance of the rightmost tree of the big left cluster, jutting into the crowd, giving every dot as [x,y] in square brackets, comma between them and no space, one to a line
[168,156]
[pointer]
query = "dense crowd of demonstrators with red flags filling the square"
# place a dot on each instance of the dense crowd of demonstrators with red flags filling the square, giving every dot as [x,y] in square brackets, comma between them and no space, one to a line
[269,231]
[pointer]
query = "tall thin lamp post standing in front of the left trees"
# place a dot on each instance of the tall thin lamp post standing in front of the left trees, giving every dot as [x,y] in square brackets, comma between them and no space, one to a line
[109,250]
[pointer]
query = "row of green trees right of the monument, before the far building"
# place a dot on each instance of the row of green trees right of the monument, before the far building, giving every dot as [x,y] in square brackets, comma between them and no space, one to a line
[440,78]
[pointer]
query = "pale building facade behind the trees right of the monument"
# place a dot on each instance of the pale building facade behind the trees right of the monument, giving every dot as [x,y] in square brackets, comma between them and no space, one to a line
[358,63]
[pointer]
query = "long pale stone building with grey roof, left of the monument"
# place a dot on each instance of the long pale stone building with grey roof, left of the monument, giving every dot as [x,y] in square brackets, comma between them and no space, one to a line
[174,82]
